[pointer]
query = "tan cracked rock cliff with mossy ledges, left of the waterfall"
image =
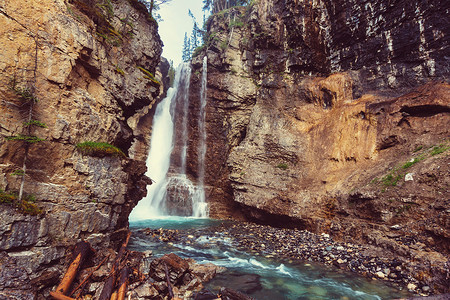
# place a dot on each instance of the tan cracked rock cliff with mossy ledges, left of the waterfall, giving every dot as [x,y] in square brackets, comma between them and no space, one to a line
[88,63]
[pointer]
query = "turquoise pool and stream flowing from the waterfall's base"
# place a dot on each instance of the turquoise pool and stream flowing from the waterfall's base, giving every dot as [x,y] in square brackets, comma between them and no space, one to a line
[256,273]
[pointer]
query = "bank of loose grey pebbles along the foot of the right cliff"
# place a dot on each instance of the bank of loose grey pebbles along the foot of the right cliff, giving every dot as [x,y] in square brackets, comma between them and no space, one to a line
[293,246]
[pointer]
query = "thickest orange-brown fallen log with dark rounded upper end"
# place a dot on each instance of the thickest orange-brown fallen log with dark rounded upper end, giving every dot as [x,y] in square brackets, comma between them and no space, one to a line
[81,251]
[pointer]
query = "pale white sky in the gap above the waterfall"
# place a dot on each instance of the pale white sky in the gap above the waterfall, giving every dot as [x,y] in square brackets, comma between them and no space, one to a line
[176,21]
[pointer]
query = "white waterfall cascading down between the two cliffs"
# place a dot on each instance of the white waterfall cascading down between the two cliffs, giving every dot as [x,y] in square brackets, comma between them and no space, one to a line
[172,192]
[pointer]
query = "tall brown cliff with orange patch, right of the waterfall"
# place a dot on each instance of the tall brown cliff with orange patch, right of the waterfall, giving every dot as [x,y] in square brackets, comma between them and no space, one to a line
[332,116]
